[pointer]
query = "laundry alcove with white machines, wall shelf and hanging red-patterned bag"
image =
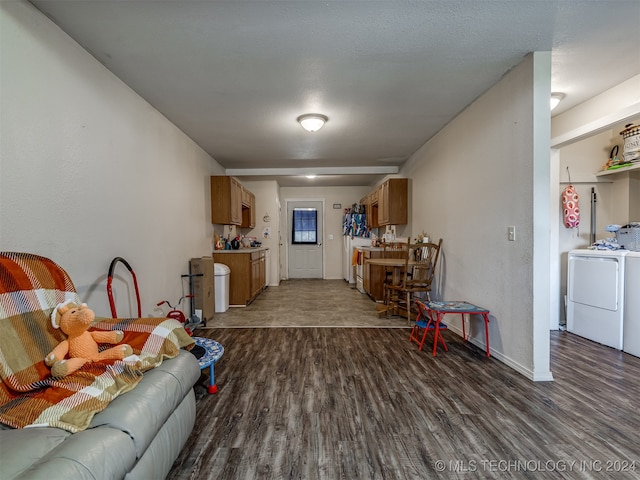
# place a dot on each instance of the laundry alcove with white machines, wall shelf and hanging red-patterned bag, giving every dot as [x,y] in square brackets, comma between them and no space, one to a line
[599,236]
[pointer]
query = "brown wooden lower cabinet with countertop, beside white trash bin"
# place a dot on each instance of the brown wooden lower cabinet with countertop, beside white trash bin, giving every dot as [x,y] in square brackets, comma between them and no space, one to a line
[248,274]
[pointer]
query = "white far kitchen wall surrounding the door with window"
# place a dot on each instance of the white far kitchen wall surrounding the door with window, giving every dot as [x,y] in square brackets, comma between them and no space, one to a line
[346,196]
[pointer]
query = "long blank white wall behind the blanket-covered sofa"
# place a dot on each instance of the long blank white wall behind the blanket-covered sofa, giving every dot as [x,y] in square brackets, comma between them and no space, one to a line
[90,171]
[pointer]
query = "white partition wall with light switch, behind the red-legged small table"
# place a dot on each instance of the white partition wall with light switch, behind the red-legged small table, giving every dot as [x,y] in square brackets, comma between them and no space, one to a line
[483,172]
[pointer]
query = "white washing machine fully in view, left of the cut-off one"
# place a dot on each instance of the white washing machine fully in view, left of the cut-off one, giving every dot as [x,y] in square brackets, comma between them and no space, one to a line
[595,295]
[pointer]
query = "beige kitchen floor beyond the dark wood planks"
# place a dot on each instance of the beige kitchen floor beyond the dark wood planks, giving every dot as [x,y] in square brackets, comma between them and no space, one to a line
[307,303]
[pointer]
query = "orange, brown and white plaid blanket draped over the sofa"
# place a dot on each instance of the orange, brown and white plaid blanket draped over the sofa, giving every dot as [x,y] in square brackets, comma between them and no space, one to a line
[30,287]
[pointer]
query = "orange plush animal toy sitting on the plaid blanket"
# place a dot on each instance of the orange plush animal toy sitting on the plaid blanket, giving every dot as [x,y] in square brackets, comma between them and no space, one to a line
[81,346]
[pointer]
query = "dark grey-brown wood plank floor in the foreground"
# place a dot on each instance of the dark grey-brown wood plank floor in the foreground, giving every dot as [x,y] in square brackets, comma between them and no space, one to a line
[357,403]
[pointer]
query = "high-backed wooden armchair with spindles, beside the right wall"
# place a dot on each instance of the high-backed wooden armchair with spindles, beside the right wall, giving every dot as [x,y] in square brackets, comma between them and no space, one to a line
[417,278]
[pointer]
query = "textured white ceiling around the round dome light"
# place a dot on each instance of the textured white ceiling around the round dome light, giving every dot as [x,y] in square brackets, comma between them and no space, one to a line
[235,75]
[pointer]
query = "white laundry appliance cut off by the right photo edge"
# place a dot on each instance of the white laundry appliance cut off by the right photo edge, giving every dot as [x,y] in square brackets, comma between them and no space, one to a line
[631,342]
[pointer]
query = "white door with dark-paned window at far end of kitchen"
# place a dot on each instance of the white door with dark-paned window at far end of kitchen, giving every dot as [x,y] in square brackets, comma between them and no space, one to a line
[304,238]
